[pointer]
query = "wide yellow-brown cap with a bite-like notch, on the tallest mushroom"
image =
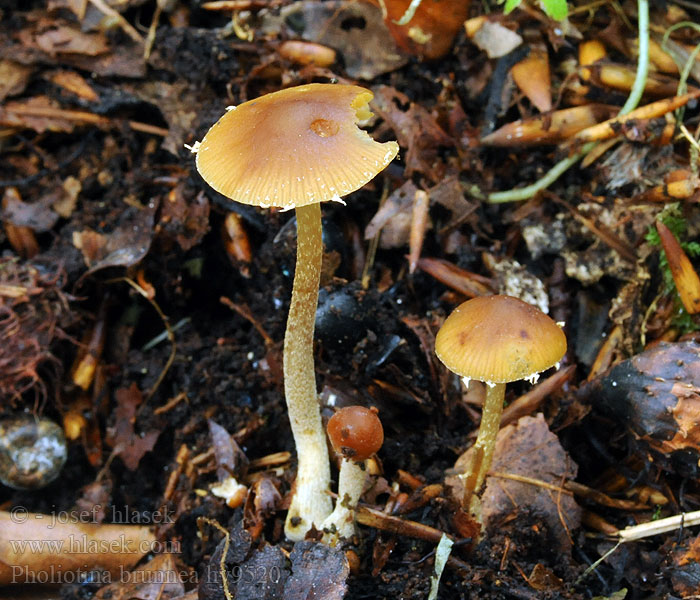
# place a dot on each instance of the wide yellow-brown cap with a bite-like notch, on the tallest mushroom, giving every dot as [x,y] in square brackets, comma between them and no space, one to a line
[294,147]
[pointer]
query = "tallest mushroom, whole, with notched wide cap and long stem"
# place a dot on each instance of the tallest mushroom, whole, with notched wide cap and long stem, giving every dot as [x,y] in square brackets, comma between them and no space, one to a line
[295,149]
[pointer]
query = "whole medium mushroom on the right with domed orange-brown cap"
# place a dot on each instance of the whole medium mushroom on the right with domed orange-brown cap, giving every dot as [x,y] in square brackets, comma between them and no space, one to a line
[496,339]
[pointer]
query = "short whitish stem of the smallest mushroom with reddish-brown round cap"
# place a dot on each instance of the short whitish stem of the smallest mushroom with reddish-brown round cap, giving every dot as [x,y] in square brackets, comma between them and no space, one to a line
[341,522]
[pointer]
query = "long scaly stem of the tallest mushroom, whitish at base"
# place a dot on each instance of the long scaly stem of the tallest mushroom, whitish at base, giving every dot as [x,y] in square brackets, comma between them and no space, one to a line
[311,503]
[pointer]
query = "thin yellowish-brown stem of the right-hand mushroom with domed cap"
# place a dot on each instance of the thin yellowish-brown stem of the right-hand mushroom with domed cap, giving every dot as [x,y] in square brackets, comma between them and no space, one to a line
[485,443]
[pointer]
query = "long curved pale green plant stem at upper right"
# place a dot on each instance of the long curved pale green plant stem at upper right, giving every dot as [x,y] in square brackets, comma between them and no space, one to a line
[632,101]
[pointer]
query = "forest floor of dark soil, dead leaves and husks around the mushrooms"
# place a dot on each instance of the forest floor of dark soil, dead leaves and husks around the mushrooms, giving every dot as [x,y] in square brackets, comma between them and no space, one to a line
[145,313]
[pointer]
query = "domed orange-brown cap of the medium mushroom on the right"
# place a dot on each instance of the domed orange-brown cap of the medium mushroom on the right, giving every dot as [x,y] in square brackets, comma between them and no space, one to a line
[498,339]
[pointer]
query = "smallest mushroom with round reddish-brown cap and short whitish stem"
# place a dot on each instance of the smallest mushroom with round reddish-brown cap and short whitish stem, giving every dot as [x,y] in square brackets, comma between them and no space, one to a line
[355,433]
